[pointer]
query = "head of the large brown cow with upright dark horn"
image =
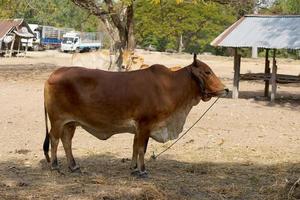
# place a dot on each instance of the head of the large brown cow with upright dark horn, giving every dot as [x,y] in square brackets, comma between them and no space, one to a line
[209,84]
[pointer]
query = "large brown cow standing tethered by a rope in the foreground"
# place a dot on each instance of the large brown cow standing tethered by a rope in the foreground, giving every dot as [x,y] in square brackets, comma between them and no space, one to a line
[107,103]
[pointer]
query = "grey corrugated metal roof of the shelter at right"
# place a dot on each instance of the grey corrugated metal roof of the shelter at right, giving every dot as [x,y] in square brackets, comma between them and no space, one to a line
[263,31]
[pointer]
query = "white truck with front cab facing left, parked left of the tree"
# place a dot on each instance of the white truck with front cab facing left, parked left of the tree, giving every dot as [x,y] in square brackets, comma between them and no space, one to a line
[80,41]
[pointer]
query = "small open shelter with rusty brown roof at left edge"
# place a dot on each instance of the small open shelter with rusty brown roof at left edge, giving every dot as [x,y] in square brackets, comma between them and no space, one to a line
[13,32]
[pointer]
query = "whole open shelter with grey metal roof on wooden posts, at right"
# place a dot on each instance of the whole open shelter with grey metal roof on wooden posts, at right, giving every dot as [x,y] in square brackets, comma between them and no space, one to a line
[262,31]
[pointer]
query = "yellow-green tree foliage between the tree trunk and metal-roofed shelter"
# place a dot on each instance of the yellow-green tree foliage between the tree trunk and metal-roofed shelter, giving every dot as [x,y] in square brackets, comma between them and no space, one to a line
[161,25]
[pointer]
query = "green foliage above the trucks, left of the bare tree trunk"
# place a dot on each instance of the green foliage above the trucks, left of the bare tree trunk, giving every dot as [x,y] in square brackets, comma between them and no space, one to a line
[59,13]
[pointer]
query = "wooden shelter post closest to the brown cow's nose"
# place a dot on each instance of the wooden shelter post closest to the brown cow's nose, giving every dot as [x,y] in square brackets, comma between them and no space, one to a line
[236,78]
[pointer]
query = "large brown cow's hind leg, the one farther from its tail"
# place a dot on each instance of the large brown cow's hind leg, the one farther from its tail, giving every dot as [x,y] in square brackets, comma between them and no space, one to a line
[66,138]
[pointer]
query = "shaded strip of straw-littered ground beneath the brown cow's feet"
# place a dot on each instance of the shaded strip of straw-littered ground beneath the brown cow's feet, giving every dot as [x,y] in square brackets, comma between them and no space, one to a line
[108,177]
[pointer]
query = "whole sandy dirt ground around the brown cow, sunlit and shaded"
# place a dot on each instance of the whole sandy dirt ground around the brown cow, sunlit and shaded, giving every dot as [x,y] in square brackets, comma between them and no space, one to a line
[242,149]
